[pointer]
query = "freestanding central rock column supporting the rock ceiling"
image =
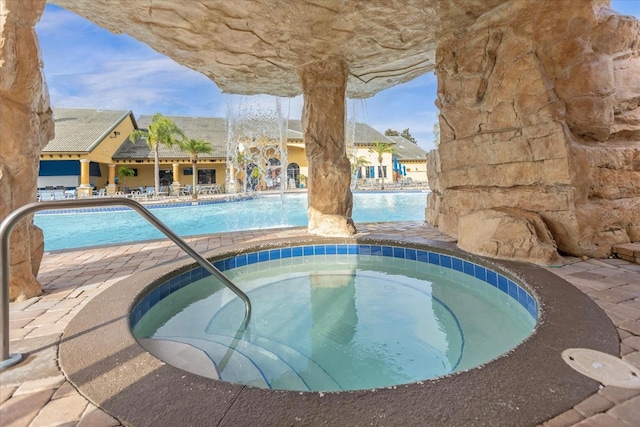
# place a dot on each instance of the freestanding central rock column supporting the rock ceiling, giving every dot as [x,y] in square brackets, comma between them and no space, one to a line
[323,123]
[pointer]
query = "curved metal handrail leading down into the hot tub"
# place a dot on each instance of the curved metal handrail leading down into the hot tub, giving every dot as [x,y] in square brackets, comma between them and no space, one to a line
[14,217]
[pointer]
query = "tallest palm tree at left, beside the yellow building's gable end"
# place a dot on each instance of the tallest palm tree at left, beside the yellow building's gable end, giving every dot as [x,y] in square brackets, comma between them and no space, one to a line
[162,130]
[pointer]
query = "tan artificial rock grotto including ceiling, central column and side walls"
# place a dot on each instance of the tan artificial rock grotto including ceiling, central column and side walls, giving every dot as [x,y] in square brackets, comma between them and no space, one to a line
[540,101]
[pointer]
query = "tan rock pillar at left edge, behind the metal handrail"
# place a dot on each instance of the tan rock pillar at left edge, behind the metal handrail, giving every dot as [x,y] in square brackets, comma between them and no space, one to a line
[25,128]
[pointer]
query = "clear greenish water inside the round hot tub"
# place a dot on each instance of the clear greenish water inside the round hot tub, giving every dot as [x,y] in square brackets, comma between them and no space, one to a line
[339,322]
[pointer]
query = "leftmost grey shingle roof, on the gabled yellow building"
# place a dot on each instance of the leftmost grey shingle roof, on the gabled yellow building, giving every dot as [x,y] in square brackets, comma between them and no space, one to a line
[80,130]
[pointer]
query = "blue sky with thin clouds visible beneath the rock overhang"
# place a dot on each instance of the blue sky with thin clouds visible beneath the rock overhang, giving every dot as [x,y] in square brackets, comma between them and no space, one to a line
[116,72]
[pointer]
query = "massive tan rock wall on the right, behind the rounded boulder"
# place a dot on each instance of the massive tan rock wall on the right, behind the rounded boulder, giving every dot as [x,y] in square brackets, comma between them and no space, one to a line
[540,110]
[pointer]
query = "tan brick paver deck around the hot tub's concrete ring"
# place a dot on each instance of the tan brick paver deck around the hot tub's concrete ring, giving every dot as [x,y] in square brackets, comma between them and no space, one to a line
[36,393]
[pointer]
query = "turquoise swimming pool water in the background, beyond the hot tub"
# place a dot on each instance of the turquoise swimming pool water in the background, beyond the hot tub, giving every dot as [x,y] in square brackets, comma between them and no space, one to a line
[67,231]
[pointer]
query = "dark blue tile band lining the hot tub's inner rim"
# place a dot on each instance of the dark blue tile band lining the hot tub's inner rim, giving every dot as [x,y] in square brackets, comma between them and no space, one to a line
[493,278]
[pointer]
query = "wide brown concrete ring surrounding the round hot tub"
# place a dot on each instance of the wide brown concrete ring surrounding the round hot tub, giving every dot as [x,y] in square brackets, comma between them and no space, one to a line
[526,386]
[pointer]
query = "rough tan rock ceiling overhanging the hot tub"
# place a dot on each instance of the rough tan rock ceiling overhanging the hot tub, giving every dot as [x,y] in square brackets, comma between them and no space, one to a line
[251,47]
